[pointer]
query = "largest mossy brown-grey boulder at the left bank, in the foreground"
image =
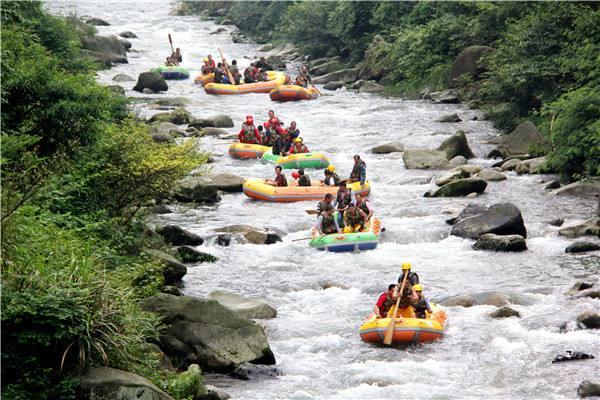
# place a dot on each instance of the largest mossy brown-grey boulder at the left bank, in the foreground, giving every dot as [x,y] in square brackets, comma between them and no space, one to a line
[204,332]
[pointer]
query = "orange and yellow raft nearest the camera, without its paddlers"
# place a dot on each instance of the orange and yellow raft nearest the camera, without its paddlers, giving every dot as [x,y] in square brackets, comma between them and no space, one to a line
[406,330]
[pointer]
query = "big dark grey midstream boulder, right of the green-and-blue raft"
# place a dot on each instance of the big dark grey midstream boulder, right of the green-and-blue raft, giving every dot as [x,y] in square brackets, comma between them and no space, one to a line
[501,219]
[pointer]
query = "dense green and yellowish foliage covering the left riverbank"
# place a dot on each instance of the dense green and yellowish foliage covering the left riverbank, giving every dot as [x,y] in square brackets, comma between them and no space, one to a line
[76,171]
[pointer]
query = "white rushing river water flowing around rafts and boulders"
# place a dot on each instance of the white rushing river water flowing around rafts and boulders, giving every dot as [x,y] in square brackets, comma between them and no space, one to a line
[315,336]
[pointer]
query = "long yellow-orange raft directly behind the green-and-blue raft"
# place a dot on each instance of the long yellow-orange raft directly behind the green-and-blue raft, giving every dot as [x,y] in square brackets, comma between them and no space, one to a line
[259,190]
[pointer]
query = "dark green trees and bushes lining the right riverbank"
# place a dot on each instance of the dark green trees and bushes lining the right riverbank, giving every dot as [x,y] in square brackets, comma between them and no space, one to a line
[542,64]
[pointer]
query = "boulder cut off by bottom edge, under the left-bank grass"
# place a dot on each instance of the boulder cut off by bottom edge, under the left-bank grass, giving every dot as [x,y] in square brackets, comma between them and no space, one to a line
[114,384]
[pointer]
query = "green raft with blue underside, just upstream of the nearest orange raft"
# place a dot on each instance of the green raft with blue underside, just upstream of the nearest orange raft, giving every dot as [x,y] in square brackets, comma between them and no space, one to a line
[346,242]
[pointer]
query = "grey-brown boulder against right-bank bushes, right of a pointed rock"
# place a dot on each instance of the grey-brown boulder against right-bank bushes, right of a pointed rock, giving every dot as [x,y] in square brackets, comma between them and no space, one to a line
[519,141]
